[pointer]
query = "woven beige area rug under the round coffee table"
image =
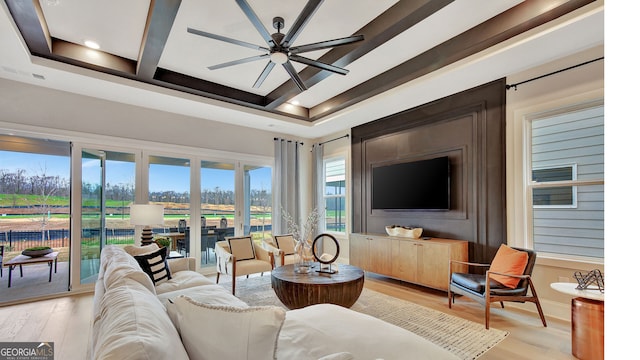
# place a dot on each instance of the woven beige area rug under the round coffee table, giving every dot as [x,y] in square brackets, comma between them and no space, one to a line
[465,339]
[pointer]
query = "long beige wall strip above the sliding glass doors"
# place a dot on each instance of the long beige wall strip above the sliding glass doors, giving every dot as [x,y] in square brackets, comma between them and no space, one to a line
[23,106]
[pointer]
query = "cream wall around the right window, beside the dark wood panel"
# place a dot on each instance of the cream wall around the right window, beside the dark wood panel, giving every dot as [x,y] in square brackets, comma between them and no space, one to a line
[578,85]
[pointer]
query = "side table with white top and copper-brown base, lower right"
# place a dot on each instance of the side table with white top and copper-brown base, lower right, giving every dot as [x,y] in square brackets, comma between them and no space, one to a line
[587,321]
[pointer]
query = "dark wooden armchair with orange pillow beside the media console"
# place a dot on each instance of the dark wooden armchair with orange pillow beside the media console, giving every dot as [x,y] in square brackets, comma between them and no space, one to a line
[485,289]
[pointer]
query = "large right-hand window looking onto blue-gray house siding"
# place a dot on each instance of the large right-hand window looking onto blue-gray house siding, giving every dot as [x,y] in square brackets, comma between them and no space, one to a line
[566,182]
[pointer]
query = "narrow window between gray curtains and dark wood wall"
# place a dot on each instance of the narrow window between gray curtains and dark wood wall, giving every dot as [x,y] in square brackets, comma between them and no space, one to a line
[335,194]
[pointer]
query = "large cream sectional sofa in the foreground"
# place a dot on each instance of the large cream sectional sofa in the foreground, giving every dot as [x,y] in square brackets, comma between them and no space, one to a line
[131,321]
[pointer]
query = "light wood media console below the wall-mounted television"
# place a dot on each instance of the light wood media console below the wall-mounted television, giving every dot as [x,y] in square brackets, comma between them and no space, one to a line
[418,261]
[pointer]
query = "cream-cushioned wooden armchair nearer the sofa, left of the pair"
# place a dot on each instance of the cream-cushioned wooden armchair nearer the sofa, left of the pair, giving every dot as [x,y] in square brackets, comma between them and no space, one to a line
[237,256]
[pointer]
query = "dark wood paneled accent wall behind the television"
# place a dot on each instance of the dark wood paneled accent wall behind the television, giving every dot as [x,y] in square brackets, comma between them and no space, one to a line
[469,128]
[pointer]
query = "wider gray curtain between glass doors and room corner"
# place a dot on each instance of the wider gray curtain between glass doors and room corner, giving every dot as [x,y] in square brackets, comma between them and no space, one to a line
[287,183]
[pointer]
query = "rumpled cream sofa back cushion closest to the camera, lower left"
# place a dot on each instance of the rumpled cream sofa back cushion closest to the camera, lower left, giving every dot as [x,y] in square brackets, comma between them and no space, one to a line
[133,324]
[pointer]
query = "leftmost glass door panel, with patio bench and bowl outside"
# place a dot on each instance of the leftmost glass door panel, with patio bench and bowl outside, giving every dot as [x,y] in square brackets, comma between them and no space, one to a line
[34,212]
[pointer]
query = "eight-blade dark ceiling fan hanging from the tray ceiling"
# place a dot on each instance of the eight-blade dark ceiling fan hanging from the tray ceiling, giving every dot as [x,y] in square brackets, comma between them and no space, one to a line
[280,48]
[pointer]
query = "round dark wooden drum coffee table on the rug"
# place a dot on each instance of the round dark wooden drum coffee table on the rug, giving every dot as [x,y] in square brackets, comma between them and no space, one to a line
[299,290]
